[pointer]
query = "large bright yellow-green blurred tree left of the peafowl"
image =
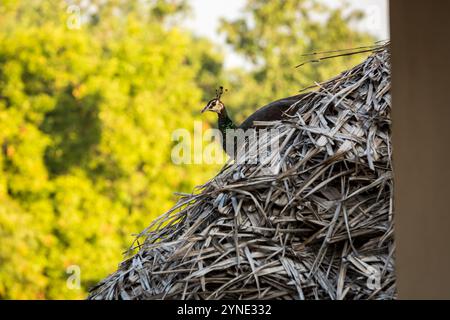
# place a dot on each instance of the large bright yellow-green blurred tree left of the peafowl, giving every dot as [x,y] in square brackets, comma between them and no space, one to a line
[86,118]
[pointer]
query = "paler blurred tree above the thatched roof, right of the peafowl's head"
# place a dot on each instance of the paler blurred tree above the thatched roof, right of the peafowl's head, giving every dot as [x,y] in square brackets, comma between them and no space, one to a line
[271,36]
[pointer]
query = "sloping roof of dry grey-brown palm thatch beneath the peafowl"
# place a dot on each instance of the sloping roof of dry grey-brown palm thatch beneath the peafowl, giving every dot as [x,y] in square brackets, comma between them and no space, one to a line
[314,221]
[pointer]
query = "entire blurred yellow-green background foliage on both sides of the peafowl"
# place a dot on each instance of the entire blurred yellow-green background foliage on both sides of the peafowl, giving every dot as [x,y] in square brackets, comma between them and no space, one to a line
[86,118]
